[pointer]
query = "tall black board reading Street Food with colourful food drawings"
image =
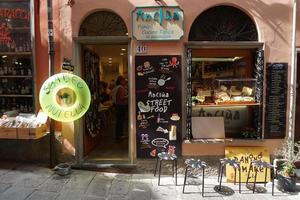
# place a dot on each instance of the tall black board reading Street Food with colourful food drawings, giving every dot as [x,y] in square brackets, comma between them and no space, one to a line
[158,105]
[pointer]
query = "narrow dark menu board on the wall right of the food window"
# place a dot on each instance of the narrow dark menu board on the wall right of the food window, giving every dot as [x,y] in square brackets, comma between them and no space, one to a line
[276,100]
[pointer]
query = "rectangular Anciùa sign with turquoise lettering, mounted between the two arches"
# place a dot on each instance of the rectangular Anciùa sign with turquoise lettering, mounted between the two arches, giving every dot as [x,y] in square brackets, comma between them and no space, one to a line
[157,23]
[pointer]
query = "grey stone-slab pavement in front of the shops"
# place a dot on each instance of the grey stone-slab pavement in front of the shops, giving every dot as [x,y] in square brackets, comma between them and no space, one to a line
[35,182]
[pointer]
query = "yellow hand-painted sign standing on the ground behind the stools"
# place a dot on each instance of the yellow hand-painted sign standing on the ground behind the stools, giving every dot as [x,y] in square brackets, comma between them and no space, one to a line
[245,155]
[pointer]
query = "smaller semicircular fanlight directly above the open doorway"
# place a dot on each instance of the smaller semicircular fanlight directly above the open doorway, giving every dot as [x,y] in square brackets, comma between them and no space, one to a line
[103,23]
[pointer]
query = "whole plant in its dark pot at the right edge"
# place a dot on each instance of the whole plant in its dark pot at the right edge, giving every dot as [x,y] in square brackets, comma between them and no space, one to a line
[287,156]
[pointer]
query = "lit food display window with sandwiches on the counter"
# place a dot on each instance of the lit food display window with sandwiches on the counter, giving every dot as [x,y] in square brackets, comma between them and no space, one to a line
[223,94]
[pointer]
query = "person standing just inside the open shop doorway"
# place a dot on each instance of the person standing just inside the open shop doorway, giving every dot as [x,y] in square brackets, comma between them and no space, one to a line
[120,101]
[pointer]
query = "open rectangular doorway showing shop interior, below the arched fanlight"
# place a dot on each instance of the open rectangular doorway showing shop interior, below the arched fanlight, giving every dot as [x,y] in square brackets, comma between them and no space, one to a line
[105,69]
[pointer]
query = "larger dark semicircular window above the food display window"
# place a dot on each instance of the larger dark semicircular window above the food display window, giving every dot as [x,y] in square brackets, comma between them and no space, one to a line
[223,23]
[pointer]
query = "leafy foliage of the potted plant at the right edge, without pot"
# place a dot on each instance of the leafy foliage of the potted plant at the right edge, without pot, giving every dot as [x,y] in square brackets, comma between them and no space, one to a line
[289,153]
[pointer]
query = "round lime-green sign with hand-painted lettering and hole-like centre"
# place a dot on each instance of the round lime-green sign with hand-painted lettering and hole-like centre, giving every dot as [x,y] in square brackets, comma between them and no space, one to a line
[65,97]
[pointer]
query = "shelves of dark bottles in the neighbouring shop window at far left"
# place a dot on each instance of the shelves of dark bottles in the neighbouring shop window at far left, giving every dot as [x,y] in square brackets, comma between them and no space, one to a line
[16,66]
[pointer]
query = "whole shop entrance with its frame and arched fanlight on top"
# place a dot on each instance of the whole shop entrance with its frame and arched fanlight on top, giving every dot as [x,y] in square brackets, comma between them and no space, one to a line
[101,59]
